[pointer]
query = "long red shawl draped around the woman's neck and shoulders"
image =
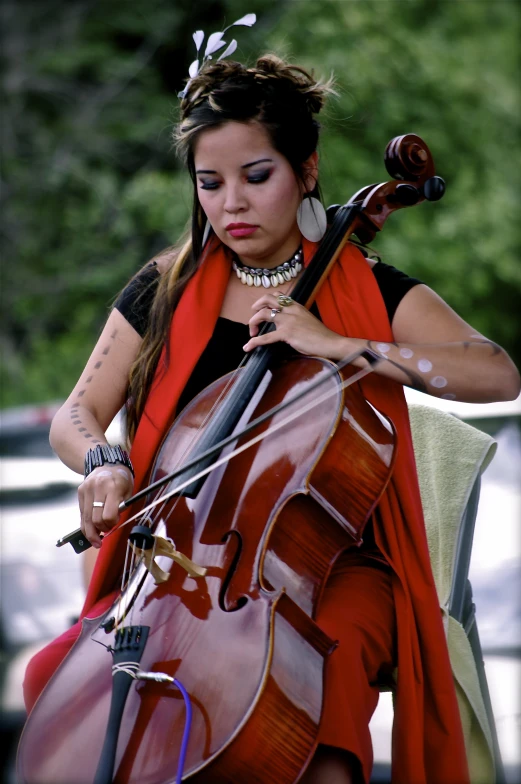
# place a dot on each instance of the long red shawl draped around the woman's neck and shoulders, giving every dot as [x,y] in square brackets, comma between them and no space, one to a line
[428,746]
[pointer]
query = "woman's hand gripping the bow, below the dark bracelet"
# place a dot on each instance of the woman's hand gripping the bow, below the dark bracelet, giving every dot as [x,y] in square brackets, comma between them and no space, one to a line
[108,485]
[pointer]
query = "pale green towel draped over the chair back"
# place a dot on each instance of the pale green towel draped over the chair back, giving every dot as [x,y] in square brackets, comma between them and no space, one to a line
[450,455]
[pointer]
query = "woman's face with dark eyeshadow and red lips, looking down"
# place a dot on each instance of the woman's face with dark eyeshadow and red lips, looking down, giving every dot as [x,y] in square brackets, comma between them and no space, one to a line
[249,192]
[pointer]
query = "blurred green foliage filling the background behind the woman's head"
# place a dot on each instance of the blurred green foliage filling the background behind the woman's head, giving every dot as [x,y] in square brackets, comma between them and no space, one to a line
[91,187]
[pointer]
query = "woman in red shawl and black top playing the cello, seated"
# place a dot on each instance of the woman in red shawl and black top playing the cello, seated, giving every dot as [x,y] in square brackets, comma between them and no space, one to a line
[249,138]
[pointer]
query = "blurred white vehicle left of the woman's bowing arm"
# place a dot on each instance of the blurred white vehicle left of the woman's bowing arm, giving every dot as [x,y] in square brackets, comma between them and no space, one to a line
[41,587]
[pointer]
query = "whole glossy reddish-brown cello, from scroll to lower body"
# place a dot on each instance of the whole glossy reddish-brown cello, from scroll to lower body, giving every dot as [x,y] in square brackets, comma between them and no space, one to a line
[215,620]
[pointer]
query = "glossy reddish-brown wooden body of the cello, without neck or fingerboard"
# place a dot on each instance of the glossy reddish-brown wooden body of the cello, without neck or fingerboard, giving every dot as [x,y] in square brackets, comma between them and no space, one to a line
[242,639]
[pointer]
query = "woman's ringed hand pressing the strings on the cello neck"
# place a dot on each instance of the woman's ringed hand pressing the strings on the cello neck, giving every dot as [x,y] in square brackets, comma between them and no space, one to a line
[297,327]
